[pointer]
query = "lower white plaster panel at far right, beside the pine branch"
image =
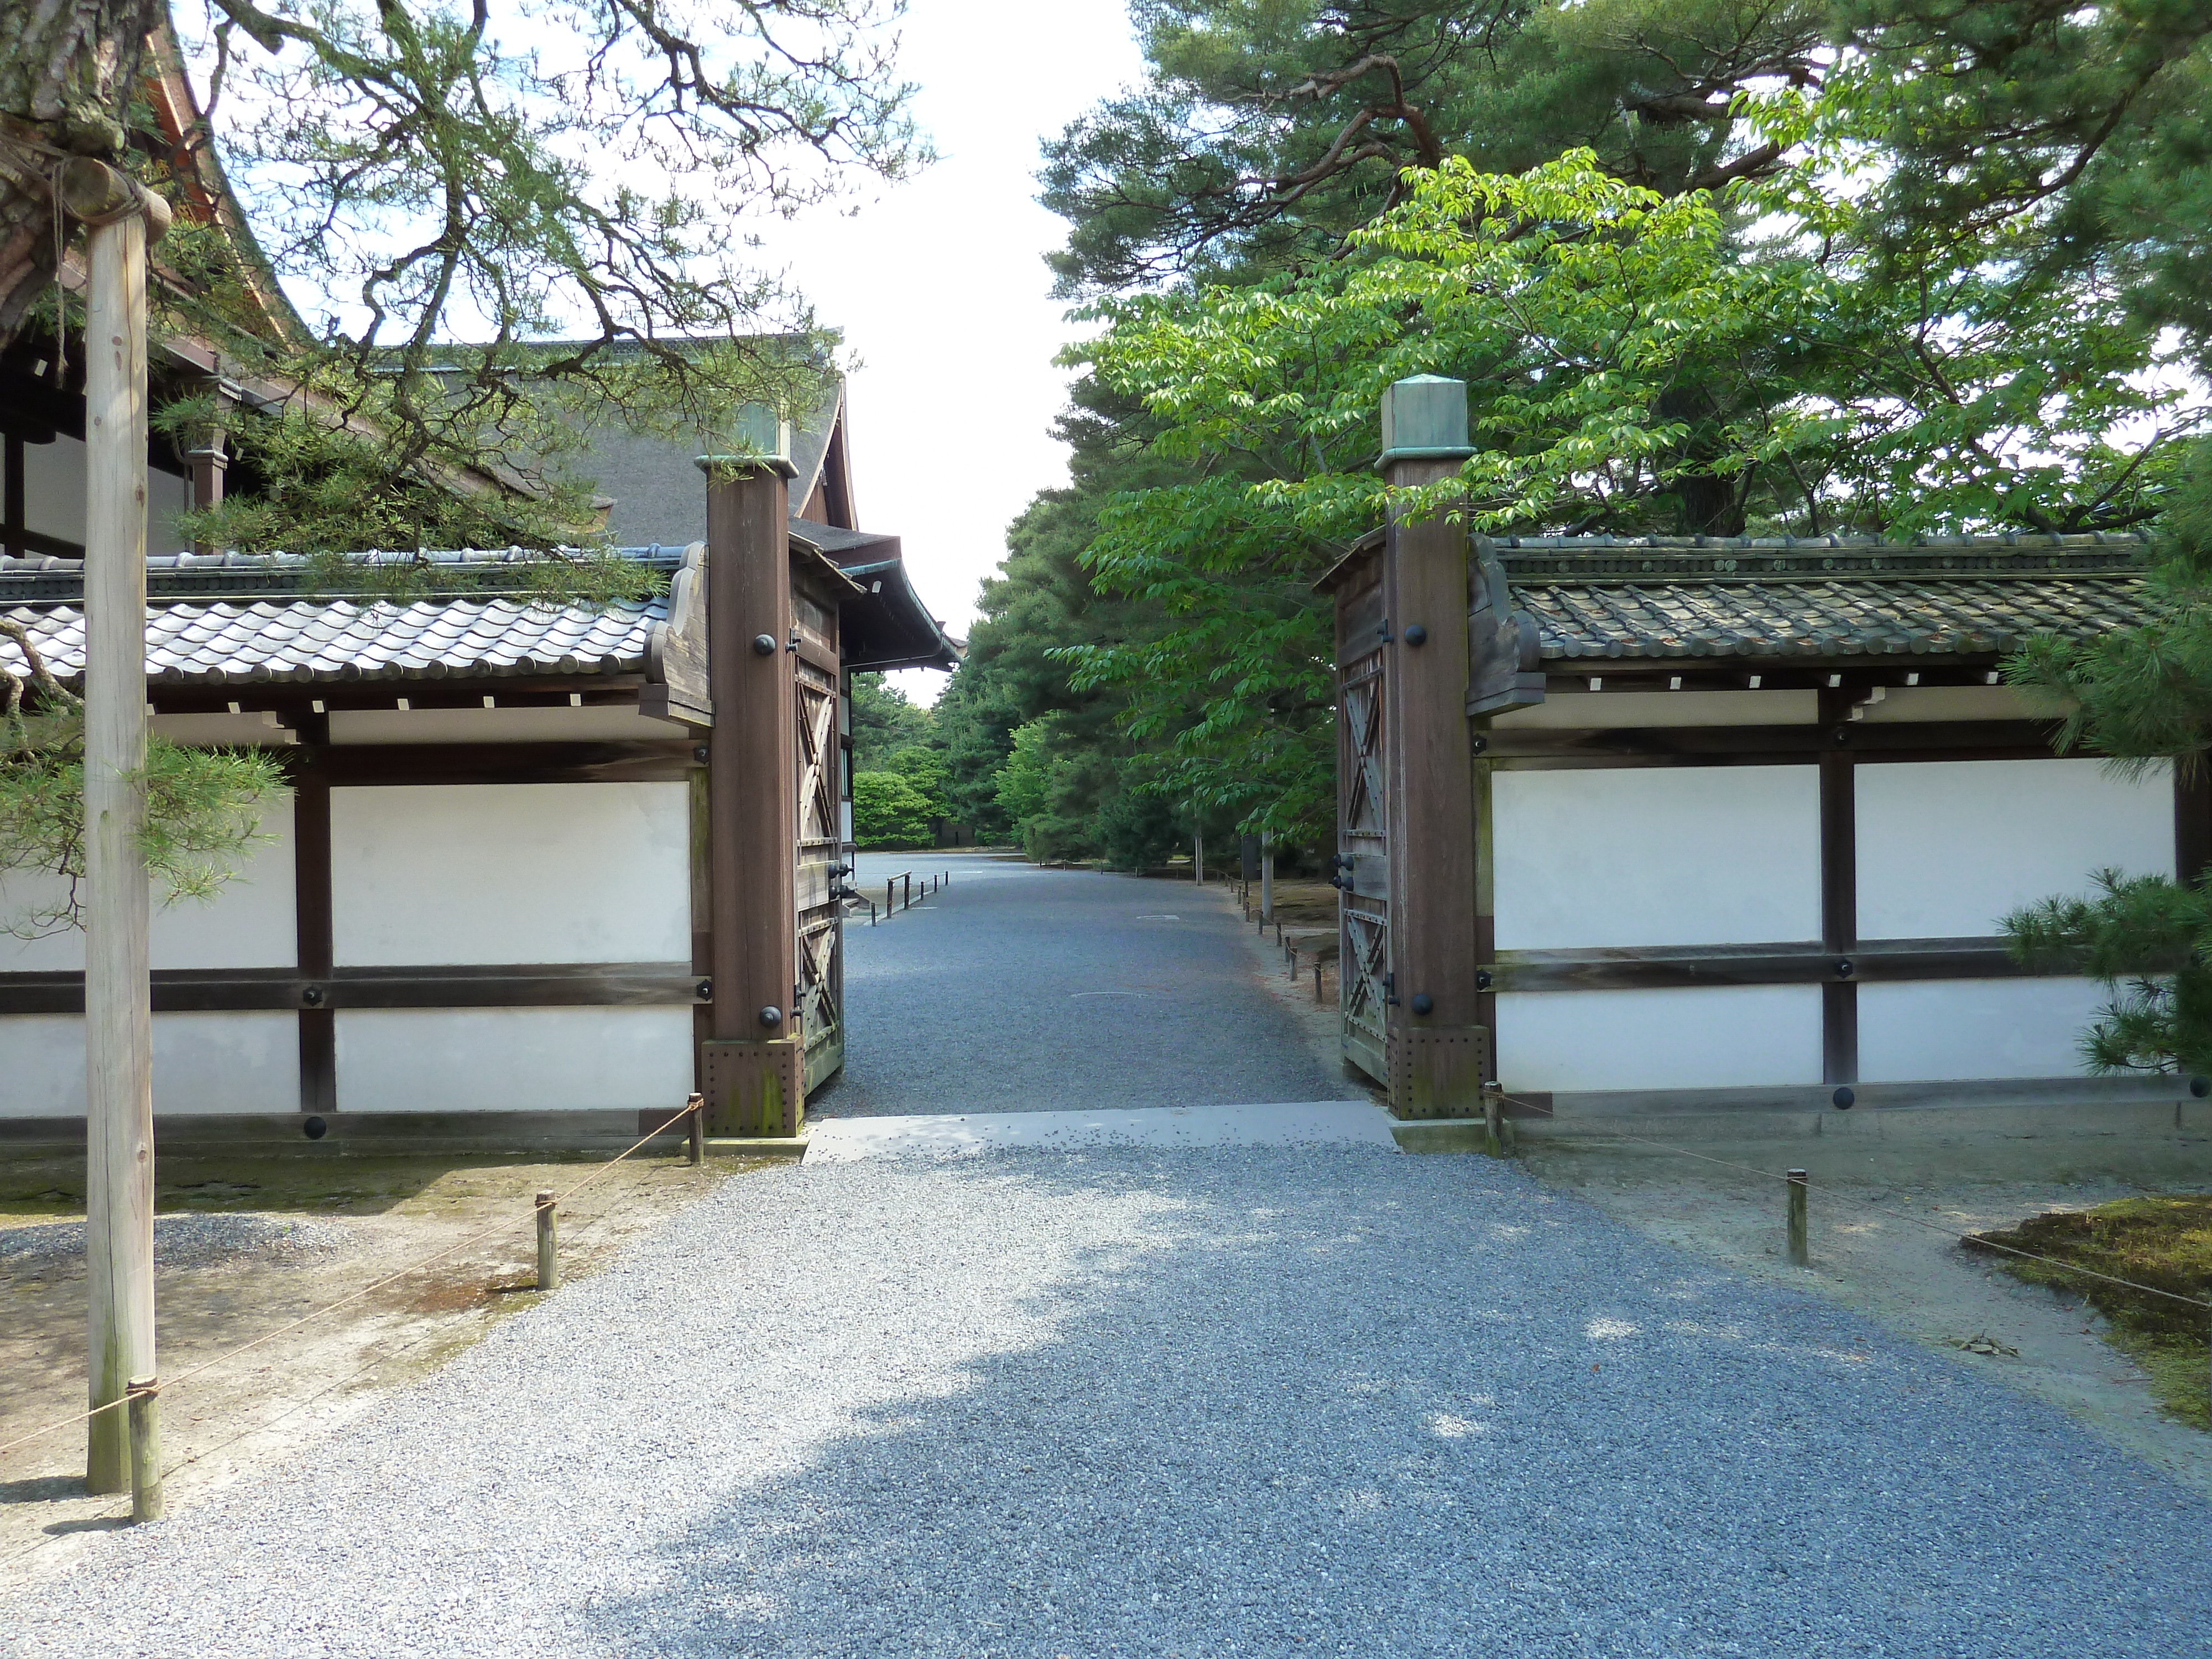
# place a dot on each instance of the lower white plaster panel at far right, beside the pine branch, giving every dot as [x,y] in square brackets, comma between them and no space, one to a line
[1948,1030]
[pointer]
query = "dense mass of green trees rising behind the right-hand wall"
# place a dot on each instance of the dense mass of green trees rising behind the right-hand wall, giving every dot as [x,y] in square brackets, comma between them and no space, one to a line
[1795,269]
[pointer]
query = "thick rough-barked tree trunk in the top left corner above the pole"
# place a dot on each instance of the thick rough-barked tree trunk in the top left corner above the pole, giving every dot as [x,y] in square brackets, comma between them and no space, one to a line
[67,74]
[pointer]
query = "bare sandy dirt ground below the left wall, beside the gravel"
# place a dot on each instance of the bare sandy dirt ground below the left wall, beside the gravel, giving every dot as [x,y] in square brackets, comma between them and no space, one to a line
[220,1428]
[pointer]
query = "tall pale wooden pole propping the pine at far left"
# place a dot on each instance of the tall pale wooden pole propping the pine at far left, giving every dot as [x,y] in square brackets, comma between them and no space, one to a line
[118,1003]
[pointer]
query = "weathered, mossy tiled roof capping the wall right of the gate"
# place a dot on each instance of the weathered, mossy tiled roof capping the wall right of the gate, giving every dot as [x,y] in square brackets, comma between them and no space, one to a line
[1819,598]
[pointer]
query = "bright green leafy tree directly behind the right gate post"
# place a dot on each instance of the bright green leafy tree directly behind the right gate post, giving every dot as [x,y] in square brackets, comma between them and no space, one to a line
[1631,368]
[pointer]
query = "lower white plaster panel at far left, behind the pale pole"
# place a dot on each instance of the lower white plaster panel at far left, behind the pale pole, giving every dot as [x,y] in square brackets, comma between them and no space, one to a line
[202,1063]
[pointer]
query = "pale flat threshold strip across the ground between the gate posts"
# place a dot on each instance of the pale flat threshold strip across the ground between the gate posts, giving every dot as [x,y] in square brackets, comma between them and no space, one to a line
[1322,1123]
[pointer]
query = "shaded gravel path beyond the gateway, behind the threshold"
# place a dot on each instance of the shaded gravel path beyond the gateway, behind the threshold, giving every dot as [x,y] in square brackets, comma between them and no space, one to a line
[948,1003]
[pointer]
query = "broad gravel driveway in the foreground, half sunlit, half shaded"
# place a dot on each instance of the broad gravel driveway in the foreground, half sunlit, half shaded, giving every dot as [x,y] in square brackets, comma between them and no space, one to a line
[1169,1404]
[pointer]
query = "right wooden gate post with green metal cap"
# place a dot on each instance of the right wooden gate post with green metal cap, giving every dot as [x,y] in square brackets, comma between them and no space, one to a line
[1437,1052]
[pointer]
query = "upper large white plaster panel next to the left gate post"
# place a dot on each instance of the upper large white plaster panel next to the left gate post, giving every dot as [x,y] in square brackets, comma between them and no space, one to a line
[512,873]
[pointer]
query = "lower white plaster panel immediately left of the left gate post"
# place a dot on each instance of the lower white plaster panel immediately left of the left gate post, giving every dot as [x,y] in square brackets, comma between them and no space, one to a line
[512,1061]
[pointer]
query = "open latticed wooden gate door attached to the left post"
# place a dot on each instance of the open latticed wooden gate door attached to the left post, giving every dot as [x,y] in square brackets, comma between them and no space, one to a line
[822,853]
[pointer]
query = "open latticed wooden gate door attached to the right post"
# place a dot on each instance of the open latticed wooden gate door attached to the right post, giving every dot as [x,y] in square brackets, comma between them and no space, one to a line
[1364,817]
